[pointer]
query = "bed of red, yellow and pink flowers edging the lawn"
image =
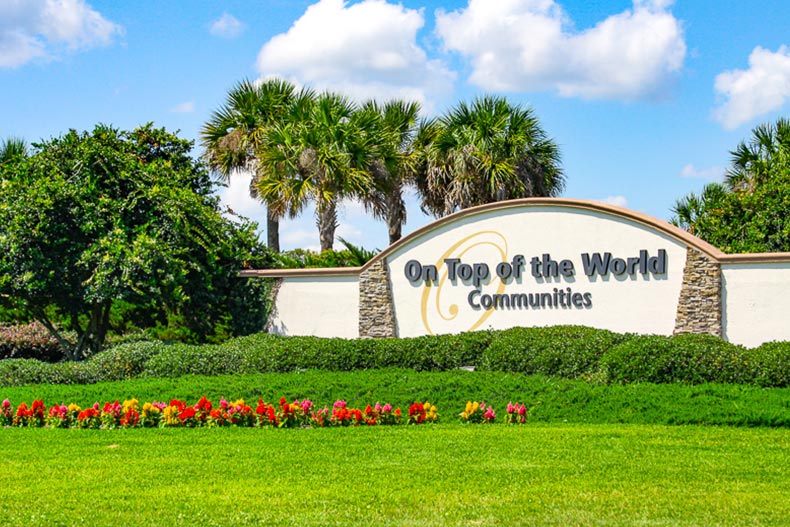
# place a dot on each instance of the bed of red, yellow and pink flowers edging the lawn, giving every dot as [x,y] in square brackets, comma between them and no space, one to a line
[204,413]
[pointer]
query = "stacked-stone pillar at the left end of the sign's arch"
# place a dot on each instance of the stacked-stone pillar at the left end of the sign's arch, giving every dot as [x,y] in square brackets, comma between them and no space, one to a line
[376,314]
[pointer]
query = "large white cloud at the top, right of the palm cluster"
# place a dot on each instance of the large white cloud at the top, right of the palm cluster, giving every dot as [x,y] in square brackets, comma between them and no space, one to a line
[529,45]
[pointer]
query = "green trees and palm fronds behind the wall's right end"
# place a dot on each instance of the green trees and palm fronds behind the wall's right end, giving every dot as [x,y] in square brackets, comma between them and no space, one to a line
[748,212]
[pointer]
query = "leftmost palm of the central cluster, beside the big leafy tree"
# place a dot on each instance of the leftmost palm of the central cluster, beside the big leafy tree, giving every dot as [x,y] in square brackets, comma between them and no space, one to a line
[234,134]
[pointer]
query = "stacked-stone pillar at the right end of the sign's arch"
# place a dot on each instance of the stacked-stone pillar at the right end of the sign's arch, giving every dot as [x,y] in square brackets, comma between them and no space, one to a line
[699,306]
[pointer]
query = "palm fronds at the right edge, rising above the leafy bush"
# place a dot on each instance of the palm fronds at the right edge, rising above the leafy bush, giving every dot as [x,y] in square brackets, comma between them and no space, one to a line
[767,152]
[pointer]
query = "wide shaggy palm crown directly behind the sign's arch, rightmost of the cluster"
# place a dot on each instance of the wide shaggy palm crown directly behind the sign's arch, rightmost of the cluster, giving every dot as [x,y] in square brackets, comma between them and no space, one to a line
[488,151]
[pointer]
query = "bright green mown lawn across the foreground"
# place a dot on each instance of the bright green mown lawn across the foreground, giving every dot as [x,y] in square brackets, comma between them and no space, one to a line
[450,474]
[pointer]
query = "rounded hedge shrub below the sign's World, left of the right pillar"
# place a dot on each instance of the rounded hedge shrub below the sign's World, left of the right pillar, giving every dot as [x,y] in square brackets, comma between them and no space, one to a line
[564,351]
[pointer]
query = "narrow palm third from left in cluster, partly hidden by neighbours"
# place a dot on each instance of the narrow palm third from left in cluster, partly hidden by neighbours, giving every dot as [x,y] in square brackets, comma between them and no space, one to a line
[395,163]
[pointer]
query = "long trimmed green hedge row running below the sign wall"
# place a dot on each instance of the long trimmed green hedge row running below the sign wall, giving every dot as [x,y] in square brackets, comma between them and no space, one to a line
[564,351]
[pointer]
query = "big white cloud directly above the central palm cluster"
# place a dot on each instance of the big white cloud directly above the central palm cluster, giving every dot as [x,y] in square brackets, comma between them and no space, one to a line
[367,49]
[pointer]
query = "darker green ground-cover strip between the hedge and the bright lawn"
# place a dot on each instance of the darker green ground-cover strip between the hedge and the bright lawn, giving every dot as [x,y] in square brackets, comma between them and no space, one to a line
[548,399]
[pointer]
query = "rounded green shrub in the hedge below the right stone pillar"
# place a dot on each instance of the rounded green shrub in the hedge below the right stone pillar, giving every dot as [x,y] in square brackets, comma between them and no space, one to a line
[691,359]
